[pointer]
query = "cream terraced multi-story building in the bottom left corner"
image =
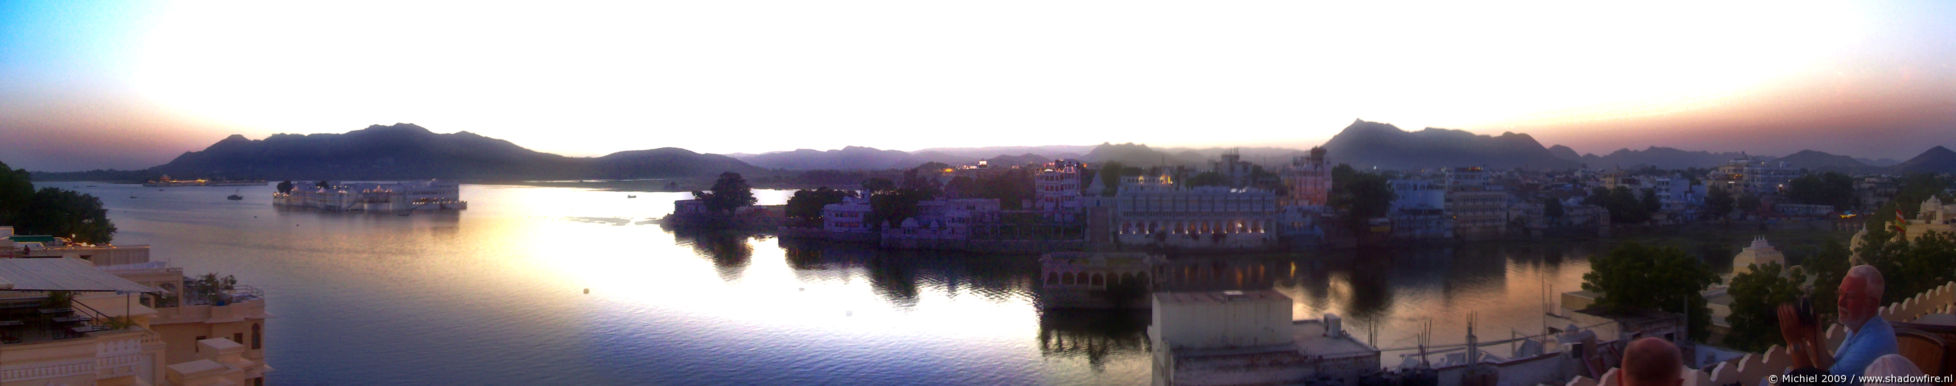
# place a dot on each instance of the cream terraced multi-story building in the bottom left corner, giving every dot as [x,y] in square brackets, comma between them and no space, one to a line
[120,318]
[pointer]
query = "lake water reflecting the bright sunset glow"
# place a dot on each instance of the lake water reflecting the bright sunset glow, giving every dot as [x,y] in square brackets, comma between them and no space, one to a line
[496,295]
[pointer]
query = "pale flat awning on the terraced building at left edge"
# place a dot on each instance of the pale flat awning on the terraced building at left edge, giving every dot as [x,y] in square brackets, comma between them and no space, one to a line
[64,275]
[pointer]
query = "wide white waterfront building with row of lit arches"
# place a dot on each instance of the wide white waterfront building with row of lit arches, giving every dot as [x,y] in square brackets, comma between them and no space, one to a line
[1196,218]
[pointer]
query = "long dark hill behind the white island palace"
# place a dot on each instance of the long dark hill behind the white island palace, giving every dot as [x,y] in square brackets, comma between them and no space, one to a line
[408,152]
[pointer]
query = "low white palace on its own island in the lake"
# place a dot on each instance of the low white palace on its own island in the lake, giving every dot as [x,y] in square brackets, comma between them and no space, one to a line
[375,197]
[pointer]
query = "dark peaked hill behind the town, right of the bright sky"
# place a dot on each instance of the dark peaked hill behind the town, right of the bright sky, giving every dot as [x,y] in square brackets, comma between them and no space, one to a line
[1370,144]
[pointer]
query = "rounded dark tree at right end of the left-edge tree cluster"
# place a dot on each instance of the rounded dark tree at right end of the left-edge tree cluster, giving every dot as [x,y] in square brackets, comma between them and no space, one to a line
[66,213]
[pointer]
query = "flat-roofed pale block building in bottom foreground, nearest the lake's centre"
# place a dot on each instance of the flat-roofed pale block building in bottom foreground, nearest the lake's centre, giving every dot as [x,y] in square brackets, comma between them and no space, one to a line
[1249,338]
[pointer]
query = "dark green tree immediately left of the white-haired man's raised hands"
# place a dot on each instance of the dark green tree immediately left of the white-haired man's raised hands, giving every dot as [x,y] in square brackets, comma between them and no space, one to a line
[1756,299]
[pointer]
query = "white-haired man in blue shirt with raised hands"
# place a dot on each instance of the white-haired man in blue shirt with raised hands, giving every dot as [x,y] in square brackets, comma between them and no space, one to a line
[1869,336]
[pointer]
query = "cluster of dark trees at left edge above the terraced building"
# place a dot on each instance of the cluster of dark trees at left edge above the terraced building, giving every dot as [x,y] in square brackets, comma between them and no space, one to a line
[52,211]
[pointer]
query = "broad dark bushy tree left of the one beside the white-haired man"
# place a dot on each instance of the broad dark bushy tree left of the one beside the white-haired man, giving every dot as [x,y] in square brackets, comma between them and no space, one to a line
[1652,279]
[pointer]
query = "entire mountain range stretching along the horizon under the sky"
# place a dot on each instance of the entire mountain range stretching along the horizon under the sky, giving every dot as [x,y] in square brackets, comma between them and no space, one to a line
[412,152]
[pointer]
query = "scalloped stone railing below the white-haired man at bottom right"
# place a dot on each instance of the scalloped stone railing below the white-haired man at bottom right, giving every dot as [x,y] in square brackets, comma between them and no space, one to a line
[1752,369]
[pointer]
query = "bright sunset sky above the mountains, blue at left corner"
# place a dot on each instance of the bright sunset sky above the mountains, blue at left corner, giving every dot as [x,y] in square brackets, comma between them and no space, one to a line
[130,85]
